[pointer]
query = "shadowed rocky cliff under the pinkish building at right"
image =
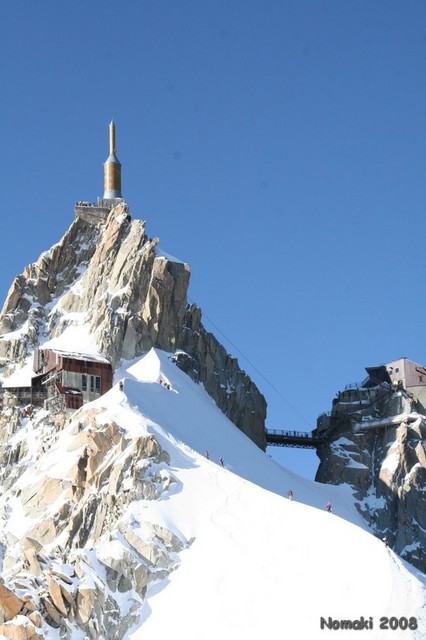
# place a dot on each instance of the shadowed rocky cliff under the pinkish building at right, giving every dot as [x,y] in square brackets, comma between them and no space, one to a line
[376,446]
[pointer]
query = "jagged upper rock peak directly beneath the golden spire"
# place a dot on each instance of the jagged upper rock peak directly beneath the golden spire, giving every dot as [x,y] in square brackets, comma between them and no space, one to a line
[113,278]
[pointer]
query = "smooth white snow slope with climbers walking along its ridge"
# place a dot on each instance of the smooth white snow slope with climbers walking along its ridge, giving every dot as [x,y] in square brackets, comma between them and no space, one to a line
[259,565]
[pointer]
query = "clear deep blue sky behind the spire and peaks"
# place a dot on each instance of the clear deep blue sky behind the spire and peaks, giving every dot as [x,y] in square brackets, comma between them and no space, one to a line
[278,147]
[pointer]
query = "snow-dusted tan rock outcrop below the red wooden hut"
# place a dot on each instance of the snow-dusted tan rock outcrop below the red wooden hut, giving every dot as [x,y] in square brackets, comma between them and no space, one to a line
[75,551]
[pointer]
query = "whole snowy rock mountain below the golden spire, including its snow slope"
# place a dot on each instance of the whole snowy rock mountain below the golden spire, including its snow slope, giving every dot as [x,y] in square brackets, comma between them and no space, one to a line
[148,512]
